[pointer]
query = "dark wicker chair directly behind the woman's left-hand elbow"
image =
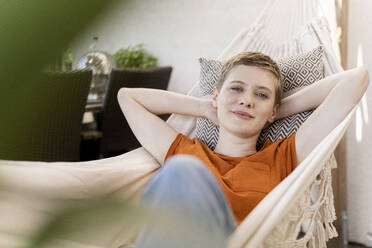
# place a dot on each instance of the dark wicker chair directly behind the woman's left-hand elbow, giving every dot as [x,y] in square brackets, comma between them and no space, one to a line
[117,136]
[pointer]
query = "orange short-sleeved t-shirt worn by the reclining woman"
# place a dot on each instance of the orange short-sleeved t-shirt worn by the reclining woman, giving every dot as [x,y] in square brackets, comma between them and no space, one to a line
[244,180]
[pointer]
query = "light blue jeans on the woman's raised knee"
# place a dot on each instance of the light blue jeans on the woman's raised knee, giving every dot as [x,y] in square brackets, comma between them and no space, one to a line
[190,208]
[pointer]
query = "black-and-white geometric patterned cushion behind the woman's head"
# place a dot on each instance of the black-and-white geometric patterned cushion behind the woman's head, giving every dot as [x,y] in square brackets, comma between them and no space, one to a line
[298,71]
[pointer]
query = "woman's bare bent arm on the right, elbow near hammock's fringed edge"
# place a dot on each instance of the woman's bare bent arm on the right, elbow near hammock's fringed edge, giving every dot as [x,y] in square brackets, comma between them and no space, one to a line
[333,97]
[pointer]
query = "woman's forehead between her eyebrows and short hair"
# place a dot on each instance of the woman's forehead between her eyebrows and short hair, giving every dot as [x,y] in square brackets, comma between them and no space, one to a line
[251,75]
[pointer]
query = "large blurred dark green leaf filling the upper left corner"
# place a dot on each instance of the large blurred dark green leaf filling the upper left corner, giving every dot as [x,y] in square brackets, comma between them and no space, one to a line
[33,34]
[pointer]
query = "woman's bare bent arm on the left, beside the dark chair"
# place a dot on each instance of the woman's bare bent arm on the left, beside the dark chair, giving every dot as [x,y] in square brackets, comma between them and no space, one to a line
[141,106]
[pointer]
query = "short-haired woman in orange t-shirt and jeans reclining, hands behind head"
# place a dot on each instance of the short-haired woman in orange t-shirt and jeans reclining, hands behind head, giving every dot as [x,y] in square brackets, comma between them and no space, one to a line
[215,190]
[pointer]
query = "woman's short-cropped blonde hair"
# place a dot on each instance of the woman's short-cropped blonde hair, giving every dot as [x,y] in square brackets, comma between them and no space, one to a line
[254,59]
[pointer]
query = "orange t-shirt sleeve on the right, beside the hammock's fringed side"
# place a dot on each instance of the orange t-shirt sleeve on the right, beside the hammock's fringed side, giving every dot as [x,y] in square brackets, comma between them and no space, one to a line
[287,153]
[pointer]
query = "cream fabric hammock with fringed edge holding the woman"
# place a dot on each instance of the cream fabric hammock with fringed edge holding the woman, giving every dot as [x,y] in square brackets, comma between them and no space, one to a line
[290,216]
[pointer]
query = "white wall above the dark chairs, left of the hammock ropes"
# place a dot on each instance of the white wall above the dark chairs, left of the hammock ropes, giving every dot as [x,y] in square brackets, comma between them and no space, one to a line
[177,32]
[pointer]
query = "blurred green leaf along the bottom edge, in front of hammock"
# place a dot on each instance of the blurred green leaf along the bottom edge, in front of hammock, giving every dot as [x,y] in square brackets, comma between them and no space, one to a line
[81,223]
